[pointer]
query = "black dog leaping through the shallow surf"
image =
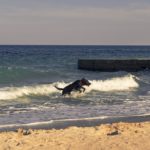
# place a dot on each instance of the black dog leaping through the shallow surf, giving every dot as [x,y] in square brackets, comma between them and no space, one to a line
[75,86]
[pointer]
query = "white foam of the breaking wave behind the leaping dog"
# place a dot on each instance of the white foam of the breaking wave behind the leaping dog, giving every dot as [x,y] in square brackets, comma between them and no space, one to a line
[114,84]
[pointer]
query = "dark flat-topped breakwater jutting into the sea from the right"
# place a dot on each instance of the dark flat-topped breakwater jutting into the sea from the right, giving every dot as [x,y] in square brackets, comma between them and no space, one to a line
[114,64]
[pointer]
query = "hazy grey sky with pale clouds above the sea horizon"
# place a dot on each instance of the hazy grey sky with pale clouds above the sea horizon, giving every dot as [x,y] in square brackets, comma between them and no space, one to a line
[75,22]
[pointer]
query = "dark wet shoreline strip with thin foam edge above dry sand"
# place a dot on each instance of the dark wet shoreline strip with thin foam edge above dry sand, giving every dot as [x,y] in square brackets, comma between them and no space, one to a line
[82,122]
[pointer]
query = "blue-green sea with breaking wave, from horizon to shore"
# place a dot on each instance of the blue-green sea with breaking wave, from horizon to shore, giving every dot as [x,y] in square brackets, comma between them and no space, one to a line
[29,74]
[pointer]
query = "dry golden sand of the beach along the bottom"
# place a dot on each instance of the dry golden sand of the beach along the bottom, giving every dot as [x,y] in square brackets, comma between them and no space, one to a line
[117,136]
